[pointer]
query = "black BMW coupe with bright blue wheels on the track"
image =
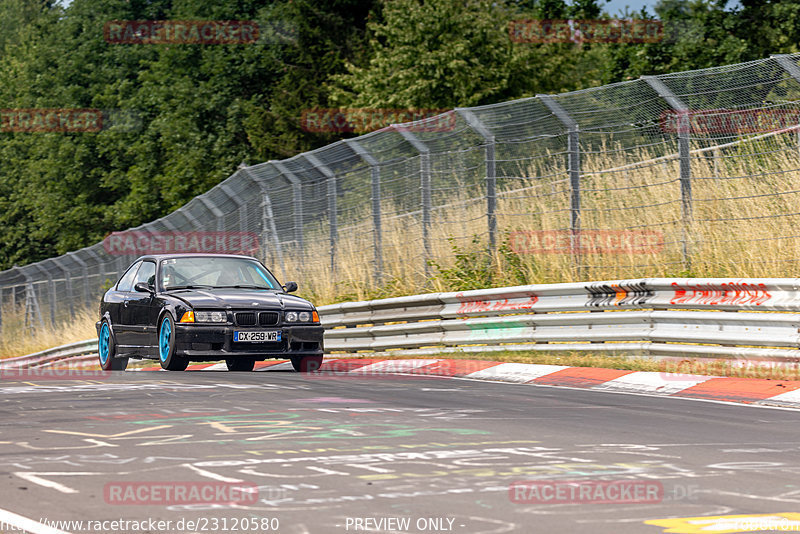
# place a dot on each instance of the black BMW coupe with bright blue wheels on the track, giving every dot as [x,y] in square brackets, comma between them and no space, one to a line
[179,308]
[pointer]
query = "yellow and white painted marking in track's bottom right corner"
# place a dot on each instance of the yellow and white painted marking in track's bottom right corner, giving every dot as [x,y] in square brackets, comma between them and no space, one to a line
[724,524]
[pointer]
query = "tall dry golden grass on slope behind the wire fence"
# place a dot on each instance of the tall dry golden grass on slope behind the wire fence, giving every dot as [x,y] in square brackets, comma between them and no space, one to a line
[743,219]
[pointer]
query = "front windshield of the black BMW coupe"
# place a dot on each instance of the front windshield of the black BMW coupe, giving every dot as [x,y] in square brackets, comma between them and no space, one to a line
[215,272]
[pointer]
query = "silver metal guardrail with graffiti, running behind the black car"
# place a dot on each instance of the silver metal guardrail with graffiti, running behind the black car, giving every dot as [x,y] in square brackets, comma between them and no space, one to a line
[656,317]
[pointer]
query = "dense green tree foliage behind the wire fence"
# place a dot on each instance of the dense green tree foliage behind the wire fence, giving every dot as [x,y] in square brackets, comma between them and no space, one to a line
[200,110]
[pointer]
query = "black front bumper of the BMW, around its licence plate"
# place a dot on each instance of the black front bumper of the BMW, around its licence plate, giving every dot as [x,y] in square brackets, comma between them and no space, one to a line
[215,342]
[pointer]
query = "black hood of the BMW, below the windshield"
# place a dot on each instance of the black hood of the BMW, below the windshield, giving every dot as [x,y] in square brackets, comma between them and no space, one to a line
[239,299]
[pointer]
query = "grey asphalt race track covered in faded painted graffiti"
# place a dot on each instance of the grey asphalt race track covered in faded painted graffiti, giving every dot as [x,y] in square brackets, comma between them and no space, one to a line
[335,454]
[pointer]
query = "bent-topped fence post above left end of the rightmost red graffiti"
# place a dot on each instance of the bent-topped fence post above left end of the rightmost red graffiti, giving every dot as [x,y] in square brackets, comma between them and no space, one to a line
[684,157]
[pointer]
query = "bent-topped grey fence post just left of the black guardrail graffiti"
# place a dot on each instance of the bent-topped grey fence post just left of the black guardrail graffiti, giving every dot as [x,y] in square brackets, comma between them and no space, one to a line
[574,170]
